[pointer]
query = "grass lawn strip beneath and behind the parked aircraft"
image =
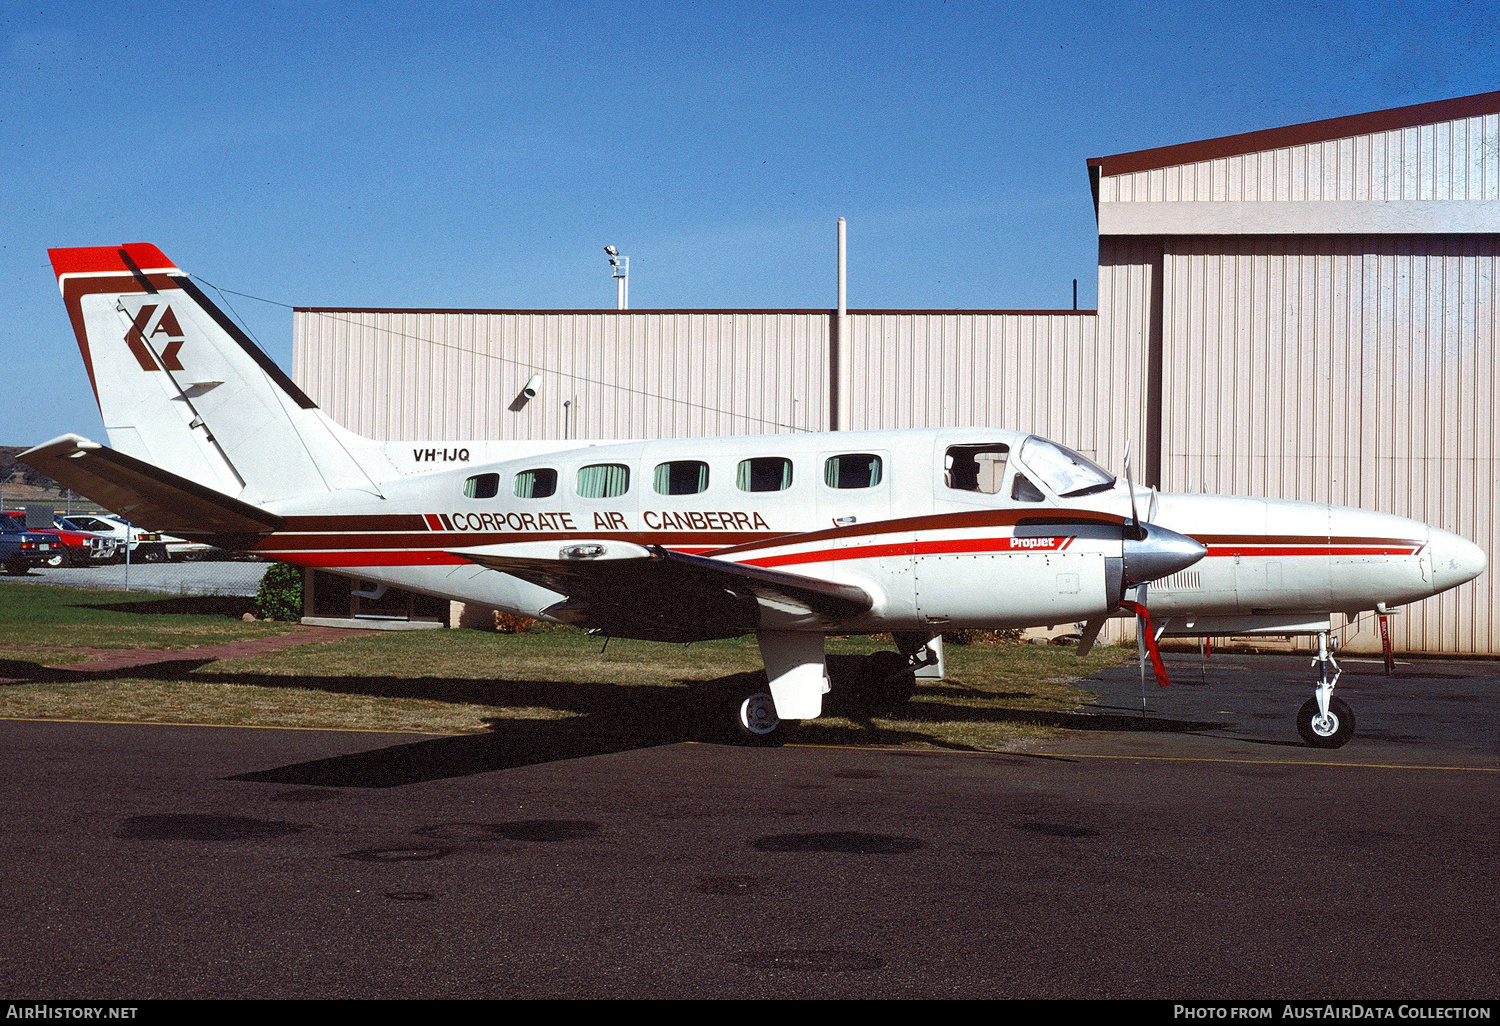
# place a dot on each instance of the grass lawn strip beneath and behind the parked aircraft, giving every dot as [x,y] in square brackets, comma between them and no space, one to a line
[553,686]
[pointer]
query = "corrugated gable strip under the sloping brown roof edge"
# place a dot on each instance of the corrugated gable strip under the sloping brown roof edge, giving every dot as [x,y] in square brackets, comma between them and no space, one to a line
[1447,161]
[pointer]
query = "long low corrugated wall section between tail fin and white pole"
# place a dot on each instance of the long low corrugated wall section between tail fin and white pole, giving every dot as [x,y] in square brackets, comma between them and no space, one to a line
[457,376]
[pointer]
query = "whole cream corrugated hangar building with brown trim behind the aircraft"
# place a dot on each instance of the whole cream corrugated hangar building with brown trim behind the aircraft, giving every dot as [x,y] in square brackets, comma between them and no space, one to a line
[1303,313]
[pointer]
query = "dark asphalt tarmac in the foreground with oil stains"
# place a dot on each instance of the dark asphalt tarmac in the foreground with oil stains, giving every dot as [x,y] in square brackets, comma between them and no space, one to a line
[1201,853]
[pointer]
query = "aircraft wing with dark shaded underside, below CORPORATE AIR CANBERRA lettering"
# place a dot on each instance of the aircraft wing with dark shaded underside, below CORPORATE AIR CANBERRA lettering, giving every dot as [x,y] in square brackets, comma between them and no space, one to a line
[656,595]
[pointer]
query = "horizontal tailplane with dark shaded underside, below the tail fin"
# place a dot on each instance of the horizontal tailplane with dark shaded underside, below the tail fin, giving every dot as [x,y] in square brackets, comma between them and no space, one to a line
[148,496]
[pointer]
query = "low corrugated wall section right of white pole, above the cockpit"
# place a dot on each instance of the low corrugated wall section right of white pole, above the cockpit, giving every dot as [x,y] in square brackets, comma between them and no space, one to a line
[1034,371]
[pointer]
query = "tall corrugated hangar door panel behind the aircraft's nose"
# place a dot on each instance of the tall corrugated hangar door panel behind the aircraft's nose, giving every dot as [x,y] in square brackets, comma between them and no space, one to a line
[1345,370]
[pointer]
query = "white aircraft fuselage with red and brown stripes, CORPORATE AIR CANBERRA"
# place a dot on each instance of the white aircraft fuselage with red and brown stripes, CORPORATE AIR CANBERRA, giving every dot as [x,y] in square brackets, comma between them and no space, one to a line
[932,554]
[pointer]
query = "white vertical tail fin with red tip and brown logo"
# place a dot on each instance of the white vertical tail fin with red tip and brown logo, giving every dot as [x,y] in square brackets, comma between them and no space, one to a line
[182,388]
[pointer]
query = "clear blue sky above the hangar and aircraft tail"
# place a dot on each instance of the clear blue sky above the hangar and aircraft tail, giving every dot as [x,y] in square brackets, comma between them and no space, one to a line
[484,154]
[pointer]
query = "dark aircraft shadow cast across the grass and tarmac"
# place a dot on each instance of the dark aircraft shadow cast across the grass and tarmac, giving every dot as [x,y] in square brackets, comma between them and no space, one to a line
[598,719]
